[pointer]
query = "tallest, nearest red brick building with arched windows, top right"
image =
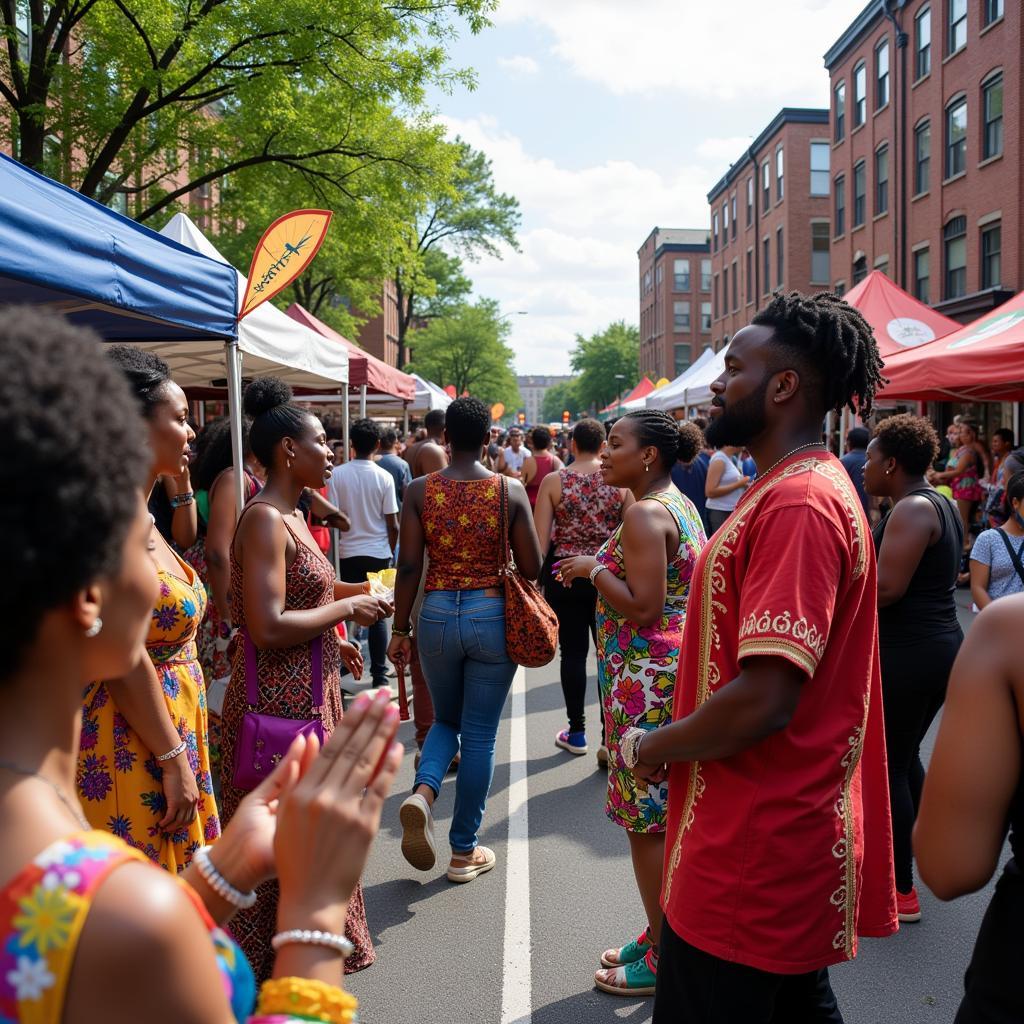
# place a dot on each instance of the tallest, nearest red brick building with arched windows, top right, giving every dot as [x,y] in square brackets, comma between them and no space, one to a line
[926,151]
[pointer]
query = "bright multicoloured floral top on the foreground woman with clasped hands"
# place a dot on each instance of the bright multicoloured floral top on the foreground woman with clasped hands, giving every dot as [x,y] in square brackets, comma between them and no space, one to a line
[42,913]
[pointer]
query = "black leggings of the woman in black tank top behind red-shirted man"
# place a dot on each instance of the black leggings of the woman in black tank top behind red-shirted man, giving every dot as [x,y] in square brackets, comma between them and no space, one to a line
[914,687]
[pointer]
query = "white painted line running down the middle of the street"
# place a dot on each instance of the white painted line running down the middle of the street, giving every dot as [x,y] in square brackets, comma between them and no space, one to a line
[517,987]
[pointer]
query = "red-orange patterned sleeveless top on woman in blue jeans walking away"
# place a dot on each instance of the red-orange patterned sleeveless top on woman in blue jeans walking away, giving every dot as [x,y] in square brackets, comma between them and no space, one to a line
[460,526]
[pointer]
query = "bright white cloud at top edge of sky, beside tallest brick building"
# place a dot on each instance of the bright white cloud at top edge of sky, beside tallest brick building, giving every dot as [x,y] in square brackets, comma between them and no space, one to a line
[728,50]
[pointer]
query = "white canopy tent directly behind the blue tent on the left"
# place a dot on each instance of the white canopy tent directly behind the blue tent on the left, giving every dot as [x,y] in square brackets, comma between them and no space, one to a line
[270,345]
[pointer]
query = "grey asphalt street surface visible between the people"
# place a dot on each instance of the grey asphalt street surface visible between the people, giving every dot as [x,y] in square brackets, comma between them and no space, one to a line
[455,955]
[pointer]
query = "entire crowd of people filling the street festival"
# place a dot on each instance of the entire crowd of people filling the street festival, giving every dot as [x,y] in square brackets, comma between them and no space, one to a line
[187,810]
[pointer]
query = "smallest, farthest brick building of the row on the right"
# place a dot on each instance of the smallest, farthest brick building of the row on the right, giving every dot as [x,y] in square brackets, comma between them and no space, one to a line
[675,300]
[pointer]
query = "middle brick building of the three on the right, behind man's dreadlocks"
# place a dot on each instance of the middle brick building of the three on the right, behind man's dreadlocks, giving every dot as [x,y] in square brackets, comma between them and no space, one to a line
[770,218]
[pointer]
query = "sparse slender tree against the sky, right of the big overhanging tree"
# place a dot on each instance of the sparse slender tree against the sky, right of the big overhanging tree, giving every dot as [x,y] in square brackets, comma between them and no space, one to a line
[467,221]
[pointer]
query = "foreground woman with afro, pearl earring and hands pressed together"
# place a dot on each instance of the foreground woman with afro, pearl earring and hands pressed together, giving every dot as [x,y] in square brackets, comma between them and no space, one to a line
[92,929]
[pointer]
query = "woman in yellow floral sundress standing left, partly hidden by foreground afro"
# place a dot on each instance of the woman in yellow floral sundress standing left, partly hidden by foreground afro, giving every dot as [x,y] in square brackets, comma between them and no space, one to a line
[144,771]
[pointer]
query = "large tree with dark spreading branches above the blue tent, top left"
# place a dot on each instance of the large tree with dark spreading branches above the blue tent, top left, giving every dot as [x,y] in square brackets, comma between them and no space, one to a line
[145,102]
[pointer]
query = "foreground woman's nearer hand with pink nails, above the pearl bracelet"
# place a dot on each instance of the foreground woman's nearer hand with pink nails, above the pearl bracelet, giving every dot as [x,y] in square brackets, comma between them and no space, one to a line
[328,819]
